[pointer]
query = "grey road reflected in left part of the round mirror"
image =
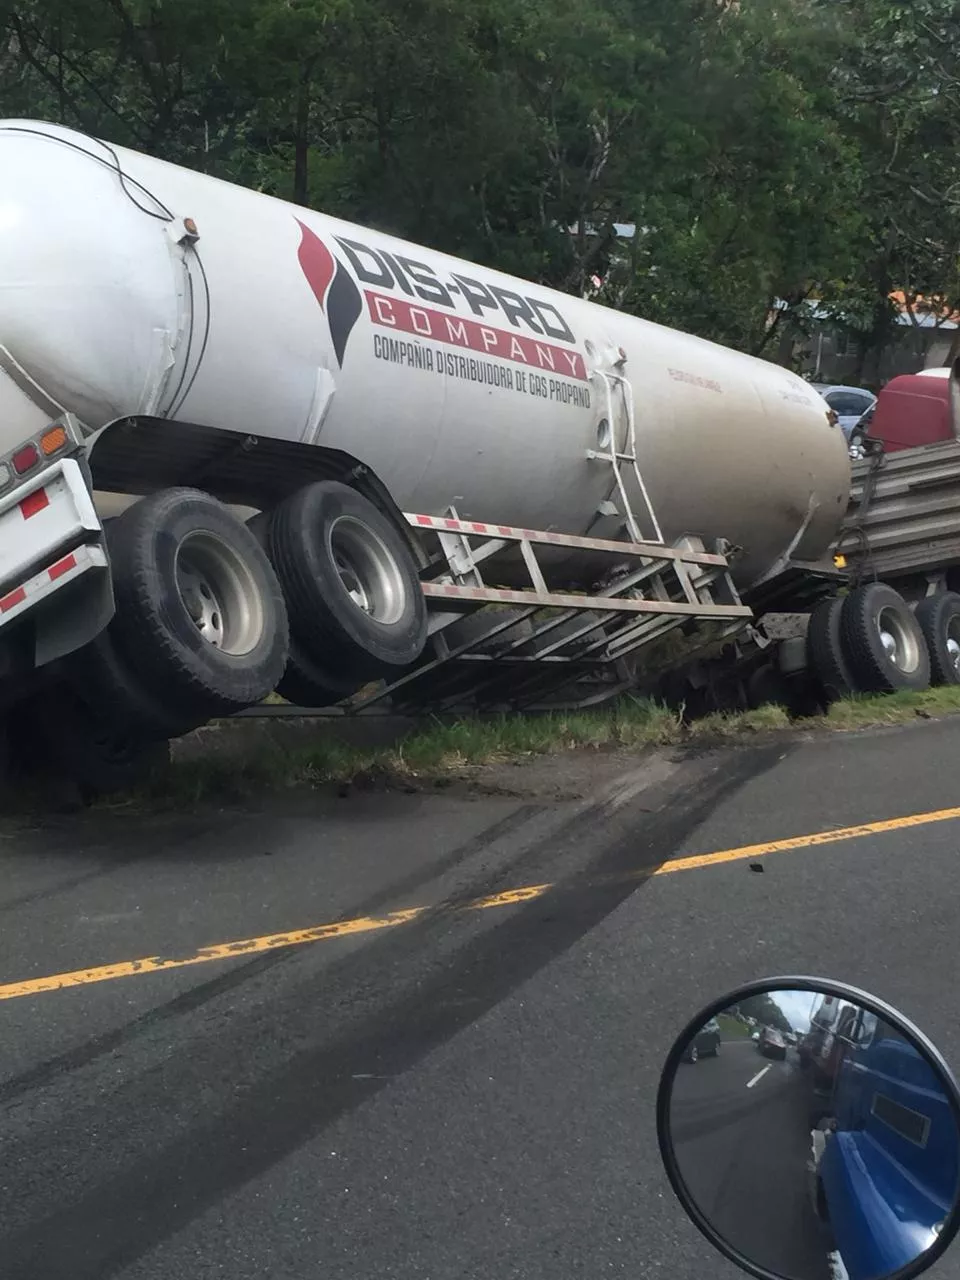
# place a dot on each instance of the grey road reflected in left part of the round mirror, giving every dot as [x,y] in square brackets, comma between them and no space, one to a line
[740,1124]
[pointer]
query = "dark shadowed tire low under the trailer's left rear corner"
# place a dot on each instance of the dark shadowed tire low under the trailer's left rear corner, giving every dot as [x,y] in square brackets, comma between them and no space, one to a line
[94,755]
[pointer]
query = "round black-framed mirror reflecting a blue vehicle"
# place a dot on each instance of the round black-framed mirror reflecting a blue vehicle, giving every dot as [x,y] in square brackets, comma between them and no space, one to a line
[828,1148]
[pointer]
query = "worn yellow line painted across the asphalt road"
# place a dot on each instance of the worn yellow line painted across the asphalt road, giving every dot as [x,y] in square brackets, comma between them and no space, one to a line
[394,920]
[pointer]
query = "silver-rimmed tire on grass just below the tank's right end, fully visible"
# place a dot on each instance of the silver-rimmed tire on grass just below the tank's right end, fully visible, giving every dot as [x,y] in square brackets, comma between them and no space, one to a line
[885,643]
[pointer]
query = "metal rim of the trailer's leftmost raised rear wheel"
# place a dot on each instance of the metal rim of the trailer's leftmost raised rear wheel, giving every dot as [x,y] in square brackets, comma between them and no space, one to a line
[220,593]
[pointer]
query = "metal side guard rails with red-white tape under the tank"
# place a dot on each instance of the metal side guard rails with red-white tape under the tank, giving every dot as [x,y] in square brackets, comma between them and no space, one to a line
[531,653]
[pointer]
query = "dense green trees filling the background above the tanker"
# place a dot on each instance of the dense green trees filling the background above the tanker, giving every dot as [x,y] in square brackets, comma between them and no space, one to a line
[766,150]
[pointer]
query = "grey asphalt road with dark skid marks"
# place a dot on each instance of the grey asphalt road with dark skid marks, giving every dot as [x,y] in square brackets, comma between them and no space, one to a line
[452,1094]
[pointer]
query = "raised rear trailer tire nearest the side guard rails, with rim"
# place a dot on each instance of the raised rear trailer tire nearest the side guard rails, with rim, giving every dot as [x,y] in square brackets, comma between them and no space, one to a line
[350,580]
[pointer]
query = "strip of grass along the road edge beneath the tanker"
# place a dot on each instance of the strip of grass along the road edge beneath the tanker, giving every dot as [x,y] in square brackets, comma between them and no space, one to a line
[444,751]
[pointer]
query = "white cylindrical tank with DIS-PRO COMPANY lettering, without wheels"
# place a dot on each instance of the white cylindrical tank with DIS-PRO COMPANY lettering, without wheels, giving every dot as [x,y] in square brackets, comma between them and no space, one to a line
[458,385]
